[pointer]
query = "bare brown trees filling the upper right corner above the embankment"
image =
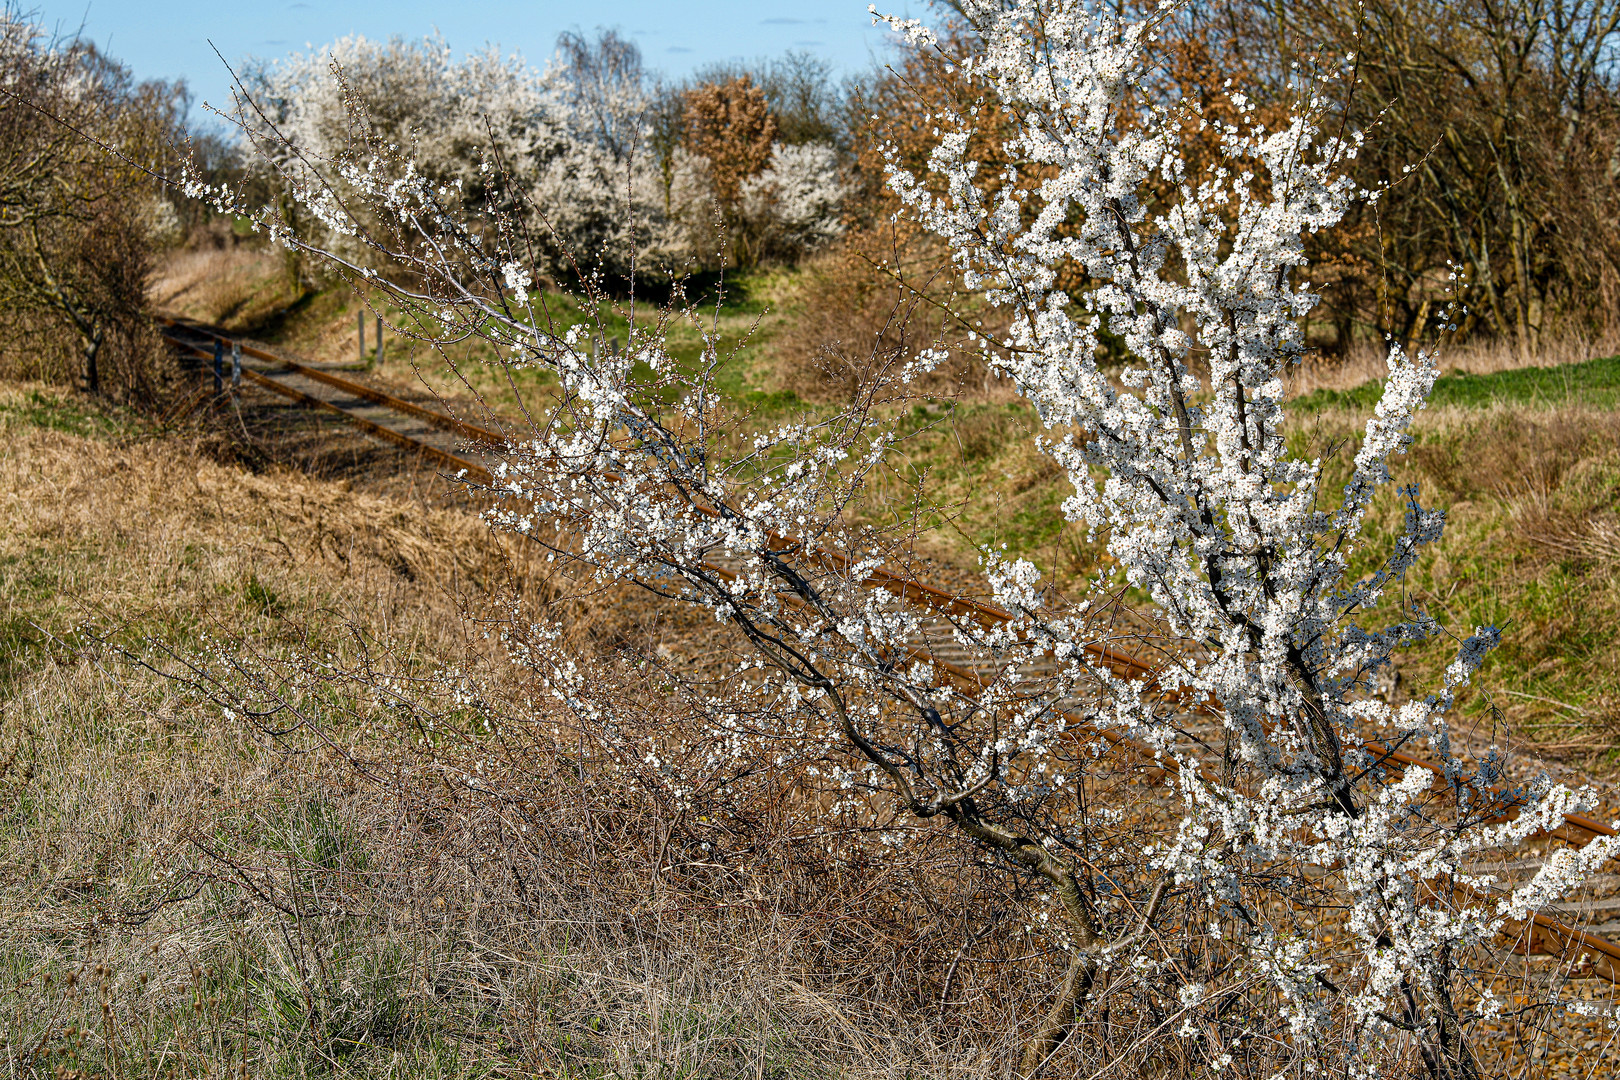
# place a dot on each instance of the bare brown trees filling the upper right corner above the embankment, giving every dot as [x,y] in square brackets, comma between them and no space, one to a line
[1493,138]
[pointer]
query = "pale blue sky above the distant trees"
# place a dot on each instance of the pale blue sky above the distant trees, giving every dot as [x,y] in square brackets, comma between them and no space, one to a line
[171,38]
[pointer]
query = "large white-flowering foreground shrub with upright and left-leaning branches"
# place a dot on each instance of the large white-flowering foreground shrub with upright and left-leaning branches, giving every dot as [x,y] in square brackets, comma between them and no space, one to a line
[1300,908]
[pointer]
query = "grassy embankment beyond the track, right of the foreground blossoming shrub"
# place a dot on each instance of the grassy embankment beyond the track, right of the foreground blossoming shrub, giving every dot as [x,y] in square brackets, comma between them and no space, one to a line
[1528,467]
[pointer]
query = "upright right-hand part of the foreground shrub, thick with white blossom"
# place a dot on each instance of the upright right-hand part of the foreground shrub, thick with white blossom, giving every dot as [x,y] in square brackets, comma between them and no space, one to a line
[1185,467]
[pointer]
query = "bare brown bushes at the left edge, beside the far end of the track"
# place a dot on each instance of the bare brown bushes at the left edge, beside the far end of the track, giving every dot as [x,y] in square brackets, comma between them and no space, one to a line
[79,237]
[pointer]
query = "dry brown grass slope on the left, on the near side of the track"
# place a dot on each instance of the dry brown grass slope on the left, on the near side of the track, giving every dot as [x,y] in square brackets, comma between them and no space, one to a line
[184,893]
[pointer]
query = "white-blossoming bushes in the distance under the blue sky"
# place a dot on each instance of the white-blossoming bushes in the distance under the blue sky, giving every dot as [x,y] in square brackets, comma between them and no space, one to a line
[599,193]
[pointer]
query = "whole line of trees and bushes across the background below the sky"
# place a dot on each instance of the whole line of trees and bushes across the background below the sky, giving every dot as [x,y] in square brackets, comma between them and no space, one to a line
[1491,140]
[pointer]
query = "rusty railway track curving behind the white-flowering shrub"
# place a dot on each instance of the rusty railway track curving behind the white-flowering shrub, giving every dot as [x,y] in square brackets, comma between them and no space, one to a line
[1577,935]
